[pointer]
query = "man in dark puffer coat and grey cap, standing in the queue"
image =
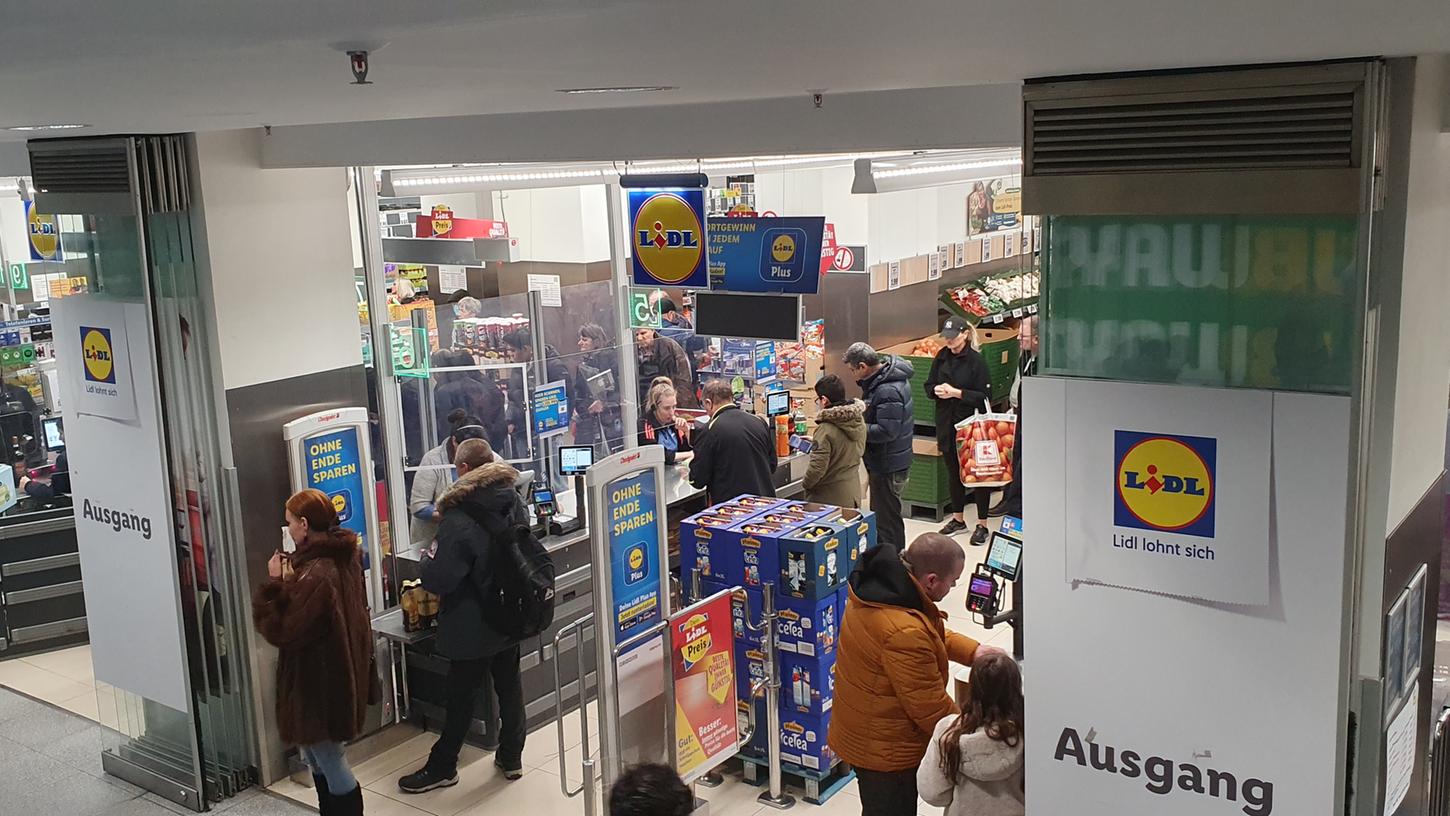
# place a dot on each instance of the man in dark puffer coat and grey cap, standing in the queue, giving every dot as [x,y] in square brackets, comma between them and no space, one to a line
[885,383]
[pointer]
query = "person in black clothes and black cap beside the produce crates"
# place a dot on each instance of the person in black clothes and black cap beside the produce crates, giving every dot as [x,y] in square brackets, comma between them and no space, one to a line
[961,388]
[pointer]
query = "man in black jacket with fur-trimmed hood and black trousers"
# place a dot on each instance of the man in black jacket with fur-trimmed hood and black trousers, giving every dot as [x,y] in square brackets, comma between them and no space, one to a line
[462,572]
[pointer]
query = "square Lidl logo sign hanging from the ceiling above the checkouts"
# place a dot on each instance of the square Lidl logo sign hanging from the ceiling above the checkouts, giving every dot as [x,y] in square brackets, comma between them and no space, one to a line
[669,238]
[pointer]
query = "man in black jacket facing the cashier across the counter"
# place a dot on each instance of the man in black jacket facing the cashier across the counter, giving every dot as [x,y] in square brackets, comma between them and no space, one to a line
[736,453]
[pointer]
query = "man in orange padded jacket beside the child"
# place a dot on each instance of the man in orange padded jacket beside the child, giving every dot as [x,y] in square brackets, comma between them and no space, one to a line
[891,672]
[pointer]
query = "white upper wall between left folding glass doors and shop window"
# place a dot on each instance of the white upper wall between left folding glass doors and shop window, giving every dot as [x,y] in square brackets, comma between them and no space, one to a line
[282,263]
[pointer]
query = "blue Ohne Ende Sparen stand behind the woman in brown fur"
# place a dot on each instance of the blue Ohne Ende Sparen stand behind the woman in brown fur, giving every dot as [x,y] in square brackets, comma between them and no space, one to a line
[330,451]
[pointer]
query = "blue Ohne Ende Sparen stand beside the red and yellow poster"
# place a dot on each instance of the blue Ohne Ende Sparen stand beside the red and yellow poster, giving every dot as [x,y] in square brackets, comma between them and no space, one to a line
[630,560]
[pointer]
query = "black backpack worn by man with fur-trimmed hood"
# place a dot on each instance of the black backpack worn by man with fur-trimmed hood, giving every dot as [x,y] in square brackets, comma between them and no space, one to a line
[518,601]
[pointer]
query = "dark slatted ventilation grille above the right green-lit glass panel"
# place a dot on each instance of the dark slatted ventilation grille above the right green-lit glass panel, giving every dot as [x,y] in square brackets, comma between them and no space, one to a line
[1312,130]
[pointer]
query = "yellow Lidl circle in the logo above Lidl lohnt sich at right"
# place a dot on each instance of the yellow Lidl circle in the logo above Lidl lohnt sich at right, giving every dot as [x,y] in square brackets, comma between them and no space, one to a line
[1165,483]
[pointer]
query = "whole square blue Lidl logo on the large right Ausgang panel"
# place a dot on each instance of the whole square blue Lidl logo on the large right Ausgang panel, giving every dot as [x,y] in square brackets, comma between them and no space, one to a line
[1165,483]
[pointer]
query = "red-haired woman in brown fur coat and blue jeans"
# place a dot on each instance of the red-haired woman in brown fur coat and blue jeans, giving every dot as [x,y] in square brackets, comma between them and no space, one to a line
[315,612]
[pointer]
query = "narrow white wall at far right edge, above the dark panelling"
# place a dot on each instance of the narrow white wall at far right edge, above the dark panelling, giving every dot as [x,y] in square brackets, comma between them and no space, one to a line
[1423,386]
